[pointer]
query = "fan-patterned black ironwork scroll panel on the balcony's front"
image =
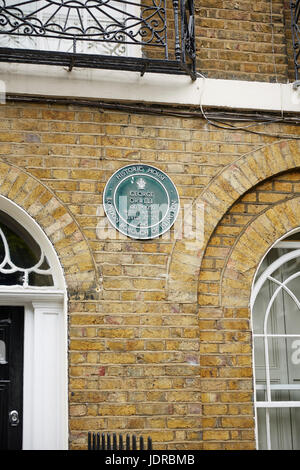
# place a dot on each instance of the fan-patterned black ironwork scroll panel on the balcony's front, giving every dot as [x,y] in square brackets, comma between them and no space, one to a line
[86,20]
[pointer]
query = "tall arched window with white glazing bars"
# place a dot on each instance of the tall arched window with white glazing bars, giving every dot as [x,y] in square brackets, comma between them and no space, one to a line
[275,306]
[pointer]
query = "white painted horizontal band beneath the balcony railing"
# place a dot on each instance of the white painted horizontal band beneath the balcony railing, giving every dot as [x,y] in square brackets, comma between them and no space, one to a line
[56,81]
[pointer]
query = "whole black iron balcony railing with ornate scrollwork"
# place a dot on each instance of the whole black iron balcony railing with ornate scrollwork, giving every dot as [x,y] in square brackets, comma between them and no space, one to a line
[137,35]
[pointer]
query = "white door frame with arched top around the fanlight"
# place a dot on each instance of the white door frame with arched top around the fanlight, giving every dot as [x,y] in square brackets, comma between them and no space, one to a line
[45,384]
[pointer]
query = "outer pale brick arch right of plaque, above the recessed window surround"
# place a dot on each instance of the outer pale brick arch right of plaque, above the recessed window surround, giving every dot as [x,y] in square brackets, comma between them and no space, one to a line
[223,191]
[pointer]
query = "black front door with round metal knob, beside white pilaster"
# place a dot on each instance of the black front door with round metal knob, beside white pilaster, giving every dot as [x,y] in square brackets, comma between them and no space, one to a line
[11,377]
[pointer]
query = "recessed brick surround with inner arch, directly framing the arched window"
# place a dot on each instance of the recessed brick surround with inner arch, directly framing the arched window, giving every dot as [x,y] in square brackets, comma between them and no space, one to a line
[224,311]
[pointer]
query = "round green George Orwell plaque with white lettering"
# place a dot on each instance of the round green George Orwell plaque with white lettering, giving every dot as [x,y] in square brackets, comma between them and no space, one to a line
[141,201]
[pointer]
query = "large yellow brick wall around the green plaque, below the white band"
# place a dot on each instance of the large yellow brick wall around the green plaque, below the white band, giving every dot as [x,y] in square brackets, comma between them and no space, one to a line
[142,358]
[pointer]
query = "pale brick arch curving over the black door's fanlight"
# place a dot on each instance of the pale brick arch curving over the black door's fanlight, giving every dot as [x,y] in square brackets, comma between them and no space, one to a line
[58,224]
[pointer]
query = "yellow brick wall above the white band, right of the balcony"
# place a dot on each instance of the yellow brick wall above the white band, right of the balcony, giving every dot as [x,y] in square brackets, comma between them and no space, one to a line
[244,40]
